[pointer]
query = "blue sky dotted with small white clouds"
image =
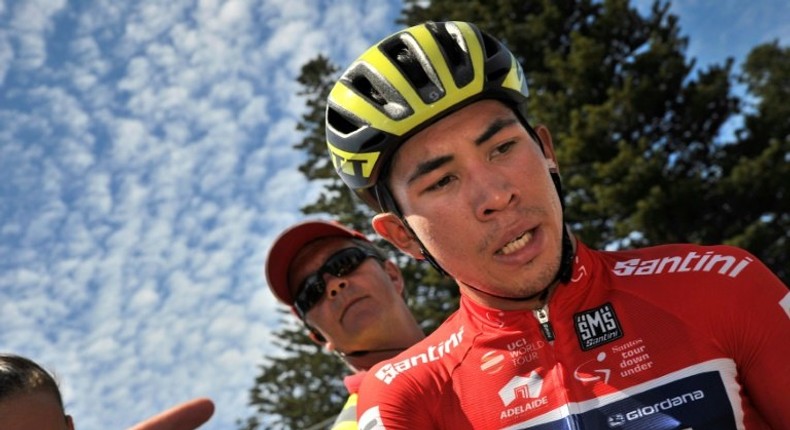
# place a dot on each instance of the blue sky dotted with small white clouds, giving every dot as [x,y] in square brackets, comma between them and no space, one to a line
[147,164]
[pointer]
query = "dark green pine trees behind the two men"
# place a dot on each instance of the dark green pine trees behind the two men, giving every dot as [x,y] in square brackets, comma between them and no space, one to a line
[638,134]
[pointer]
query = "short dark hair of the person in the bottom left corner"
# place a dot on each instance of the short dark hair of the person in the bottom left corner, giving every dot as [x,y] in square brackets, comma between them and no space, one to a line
[20,375]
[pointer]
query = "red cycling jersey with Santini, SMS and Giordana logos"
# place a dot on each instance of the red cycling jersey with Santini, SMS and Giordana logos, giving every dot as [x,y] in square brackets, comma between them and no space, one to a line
[669,337]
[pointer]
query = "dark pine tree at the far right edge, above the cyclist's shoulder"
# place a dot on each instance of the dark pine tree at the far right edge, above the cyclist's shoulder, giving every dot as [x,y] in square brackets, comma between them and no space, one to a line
[754,191]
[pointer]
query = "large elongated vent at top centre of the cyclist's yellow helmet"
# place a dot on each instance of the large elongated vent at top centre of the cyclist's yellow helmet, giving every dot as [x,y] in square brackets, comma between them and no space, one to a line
[407,55]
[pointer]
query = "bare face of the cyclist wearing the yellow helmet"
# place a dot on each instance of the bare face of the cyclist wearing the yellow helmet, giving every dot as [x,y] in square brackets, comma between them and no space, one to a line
[476,189]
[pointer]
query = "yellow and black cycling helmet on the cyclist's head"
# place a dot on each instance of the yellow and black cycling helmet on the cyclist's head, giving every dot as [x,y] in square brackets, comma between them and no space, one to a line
[407,82]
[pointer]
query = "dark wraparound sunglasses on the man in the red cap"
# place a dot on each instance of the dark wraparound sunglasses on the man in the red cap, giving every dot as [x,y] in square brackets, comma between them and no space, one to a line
[338,265]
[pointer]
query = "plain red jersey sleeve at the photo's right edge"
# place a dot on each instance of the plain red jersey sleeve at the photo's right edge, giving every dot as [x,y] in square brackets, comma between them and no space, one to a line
[761,341]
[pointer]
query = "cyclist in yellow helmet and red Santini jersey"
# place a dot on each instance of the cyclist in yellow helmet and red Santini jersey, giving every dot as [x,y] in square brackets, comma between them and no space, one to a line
[430,128]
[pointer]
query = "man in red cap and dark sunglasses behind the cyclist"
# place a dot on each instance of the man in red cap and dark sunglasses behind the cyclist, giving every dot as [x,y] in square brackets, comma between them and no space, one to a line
[348,295]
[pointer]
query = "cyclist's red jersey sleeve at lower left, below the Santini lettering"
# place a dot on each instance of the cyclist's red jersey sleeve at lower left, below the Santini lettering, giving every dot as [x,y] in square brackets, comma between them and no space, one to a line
[392,406]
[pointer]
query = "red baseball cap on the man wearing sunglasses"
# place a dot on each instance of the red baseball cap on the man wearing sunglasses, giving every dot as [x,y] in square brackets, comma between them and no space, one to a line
[289,243]
